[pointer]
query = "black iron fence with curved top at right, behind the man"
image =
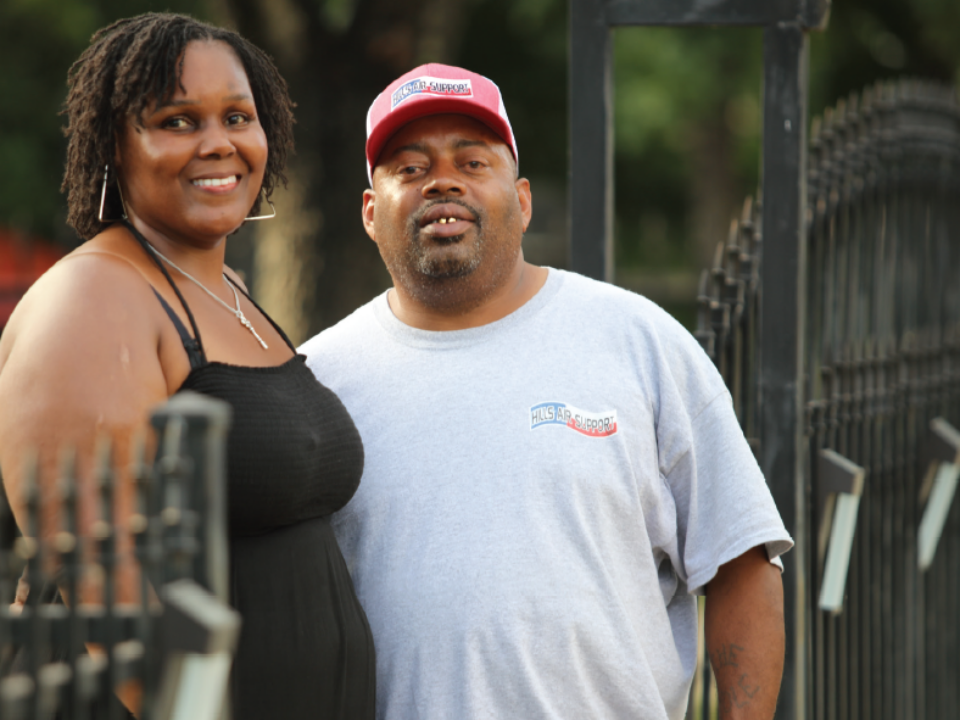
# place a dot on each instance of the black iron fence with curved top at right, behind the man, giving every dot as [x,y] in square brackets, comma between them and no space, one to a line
[880,629]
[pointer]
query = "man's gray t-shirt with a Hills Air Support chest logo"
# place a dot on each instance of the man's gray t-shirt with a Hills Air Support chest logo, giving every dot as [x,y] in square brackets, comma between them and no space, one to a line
[542,496]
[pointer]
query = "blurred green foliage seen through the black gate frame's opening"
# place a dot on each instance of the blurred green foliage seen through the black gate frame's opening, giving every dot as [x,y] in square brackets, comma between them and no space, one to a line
[675,90]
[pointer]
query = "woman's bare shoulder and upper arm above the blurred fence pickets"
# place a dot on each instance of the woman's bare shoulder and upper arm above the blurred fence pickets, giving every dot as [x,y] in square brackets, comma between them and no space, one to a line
[80,356]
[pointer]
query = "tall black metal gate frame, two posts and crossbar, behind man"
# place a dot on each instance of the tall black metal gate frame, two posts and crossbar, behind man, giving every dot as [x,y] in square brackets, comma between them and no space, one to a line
[786,27]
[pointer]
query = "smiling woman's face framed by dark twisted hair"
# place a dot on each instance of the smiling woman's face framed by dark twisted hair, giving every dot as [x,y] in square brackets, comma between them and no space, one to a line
[191,169]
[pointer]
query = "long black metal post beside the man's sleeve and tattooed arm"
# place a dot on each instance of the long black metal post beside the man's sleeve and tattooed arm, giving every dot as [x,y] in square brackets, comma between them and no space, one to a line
[782,314]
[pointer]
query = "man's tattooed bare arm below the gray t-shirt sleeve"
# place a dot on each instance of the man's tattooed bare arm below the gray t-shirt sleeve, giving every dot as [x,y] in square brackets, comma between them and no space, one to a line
[745,635]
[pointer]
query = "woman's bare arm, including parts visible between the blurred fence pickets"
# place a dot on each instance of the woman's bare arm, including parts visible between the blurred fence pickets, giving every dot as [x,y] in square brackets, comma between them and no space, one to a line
[79,360]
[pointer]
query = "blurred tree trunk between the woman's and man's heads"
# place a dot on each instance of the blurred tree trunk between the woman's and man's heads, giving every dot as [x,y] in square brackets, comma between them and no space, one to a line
[314,263]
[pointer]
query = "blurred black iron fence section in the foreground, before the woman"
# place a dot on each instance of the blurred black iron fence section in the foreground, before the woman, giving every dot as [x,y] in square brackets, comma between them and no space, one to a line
[70,660]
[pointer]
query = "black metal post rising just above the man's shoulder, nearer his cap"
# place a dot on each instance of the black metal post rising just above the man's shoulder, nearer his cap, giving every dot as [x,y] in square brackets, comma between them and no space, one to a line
[591,141]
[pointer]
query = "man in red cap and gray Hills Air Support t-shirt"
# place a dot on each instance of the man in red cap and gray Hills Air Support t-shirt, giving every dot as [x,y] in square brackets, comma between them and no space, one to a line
[553,466]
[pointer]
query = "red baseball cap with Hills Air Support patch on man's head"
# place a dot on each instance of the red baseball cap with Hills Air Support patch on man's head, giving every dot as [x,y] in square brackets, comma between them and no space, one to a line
[434,90]
